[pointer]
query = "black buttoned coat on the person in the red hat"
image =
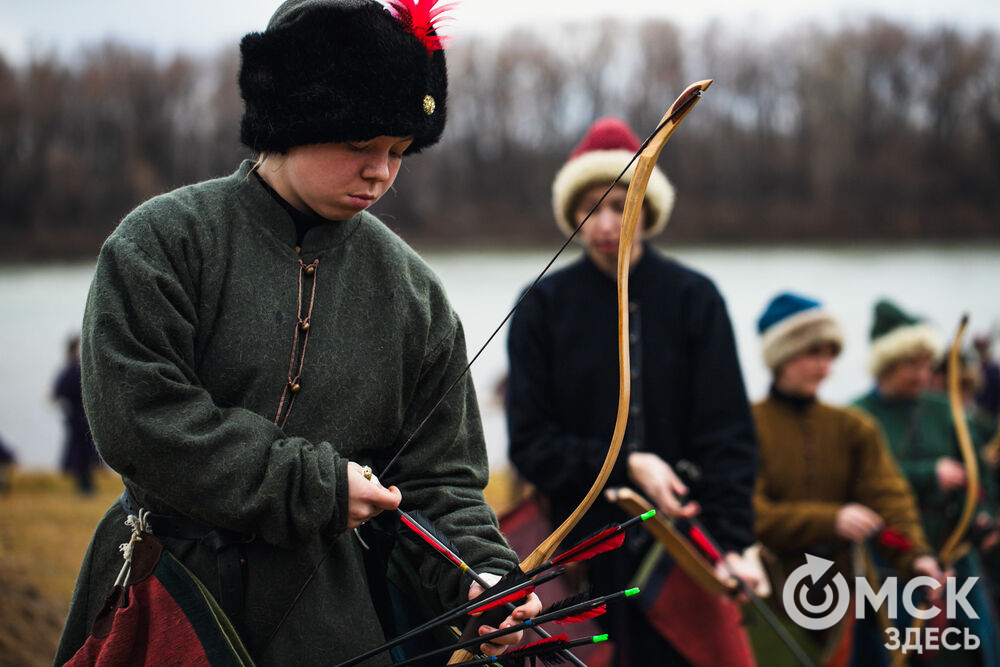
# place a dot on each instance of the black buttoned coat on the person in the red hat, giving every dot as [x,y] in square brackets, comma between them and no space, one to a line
[688,398]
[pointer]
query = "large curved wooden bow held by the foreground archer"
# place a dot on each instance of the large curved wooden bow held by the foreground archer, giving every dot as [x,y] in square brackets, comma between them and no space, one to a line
[630,221]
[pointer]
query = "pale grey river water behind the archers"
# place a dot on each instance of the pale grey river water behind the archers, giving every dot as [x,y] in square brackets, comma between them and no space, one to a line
[41,306]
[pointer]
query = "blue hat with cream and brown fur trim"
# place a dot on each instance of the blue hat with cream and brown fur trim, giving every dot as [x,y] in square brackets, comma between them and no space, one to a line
[792,324]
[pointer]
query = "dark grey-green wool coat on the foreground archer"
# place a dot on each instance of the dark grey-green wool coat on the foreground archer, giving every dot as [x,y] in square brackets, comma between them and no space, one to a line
[187,339]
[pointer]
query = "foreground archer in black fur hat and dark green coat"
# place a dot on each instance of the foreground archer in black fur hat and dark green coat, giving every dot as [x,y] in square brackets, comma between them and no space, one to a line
[255,345]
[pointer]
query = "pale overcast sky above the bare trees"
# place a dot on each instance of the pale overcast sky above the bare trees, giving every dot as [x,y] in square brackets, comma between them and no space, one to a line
[206,25]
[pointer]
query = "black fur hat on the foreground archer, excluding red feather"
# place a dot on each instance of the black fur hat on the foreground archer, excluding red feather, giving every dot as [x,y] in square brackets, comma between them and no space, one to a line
[339,70]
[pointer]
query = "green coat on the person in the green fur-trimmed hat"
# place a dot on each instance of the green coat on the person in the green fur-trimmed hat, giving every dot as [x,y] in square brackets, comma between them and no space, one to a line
[919,433]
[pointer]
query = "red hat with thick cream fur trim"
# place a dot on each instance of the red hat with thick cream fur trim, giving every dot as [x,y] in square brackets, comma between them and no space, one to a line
[599,157]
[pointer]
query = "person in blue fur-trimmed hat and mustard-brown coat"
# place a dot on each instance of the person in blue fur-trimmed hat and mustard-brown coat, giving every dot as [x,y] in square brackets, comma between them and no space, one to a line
[827,483]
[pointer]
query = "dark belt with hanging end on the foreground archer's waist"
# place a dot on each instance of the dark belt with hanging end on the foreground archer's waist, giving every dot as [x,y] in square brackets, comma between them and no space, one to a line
[224,543]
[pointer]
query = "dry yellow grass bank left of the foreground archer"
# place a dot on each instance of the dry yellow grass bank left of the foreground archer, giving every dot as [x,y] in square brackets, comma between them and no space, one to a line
[45,527]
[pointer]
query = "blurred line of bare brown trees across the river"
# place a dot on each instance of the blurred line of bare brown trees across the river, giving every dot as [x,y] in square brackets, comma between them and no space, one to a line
[871,132]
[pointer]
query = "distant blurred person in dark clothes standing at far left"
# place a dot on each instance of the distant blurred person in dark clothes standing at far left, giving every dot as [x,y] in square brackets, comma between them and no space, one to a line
[79,456]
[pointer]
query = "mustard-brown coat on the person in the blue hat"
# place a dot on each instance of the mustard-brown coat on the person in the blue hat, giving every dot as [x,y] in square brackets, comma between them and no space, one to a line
[813,461]
